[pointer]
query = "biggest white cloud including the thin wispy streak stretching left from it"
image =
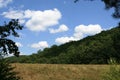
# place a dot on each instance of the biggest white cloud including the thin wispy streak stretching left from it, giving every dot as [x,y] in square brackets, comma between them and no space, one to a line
[37,20]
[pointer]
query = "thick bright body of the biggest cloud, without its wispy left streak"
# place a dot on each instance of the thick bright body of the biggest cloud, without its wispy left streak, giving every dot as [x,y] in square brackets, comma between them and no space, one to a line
[41,20]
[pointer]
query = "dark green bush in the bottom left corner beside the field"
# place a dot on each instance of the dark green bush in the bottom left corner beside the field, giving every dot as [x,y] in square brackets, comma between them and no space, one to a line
[6,71]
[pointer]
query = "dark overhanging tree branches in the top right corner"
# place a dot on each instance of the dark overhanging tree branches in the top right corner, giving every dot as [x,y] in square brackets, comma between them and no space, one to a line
[110,4]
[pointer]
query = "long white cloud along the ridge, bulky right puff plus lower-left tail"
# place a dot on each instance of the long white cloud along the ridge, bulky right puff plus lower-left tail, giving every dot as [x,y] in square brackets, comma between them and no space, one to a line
[80,32]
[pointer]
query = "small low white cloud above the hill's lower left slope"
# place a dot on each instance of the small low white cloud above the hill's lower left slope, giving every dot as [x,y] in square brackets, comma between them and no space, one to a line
[40,45]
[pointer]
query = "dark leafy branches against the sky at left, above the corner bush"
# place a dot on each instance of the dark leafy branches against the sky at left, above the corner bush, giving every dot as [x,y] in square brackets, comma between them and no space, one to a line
[7,46]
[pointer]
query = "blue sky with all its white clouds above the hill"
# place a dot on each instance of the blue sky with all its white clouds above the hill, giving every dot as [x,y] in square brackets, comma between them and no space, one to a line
[55,22]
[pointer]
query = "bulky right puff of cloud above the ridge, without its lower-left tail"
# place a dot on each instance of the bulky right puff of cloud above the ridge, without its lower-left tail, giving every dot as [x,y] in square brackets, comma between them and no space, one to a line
[83,30]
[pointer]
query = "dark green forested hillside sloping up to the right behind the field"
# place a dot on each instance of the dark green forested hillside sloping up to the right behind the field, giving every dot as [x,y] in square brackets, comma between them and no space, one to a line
[97,49]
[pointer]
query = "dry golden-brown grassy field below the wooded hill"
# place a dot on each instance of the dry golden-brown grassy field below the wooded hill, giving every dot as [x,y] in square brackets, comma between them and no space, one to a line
[60,71]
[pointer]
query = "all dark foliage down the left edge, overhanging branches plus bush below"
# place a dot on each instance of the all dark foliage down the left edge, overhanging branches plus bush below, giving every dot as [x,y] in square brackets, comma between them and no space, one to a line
[8,46]
